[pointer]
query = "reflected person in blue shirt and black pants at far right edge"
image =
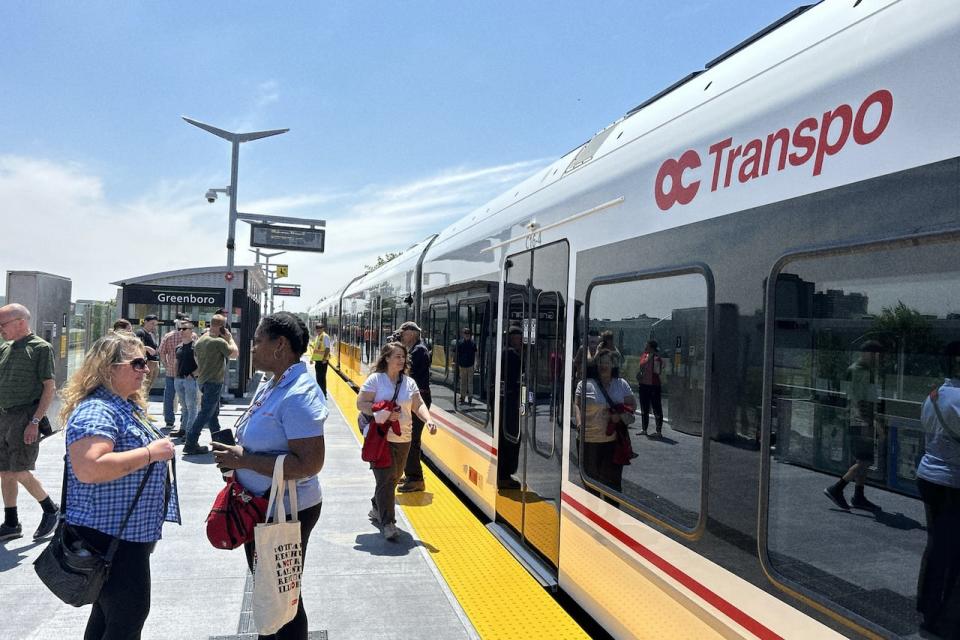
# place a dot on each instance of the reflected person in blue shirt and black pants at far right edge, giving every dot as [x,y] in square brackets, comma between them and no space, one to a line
[938,479]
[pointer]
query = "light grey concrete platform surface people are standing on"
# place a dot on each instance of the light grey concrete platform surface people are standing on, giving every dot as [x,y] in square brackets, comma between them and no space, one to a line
[198,591]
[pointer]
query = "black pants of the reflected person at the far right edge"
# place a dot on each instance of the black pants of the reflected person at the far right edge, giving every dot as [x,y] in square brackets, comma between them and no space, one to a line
[940,564]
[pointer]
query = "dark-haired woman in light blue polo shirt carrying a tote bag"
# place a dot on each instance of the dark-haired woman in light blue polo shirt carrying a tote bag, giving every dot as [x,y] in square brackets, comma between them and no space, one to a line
[285,418]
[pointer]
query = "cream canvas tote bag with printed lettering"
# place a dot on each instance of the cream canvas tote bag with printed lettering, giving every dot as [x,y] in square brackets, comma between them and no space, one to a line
[279,561]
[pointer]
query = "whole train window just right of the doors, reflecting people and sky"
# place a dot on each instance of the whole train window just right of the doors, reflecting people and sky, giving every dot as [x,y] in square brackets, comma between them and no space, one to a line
[640,384]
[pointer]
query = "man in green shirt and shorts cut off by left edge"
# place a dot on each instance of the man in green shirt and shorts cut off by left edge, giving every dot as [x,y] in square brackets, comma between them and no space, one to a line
[26,391]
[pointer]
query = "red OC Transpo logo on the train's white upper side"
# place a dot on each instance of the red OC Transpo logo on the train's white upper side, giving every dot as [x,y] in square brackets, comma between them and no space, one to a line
[753,159]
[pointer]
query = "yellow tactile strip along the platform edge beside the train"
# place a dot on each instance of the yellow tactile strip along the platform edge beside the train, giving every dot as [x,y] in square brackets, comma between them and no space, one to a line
[498,595]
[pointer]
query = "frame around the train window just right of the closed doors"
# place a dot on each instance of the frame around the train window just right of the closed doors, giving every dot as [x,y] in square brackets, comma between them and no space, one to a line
[695,268]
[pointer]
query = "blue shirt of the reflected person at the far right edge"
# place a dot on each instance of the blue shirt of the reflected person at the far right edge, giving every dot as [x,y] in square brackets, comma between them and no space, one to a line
[941,462]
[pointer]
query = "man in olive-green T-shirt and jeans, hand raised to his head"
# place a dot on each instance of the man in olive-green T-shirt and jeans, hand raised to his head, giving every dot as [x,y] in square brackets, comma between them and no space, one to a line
[211,352]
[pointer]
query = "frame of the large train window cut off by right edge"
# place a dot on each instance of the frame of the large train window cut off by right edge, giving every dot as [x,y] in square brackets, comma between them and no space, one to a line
[819,601]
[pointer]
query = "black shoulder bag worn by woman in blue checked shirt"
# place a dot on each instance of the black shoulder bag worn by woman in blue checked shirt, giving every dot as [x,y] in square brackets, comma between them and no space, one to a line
[72,568]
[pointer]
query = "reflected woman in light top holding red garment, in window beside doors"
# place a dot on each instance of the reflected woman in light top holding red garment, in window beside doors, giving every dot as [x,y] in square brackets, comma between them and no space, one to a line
[605,400]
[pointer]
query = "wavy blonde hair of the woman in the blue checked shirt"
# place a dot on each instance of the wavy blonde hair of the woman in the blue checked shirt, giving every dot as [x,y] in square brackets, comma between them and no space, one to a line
[95,371]
